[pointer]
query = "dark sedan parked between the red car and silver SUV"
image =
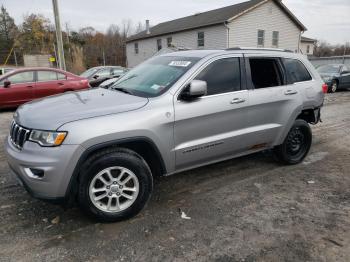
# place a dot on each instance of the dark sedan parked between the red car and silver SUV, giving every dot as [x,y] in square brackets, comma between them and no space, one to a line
[98,75]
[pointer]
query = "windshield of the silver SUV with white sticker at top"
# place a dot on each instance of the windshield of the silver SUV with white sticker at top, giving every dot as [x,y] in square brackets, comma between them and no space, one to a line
[155,76]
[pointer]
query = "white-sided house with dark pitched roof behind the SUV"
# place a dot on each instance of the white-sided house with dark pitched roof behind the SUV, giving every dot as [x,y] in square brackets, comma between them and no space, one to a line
[255,23]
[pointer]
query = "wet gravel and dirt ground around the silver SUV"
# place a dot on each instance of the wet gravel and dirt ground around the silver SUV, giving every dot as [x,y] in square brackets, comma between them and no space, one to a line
[246,209]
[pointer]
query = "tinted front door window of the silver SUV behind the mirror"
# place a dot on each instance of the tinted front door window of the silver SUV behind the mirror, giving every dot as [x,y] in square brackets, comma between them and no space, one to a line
[222,76]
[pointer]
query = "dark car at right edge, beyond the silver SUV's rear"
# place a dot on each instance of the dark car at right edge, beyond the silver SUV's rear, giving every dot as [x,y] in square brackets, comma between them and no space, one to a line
[336,76]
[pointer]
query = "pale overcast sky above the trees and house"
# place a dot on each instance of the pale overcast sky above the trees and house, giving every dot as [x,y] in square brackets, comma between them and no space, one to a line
[325,19]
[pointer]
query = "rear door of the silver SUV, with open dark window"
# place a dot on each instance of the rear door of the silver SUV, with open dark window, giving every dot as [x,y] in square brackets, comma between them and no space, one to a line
[272,100]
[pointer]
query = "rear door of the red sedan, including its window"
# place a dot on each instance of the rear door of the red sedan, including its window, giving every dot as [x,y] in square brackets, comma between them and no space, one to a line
[49,83]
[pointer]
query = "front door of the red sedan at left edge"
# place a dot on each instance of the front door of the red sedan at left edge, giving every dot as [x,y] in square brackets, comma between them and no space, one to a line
[19,91]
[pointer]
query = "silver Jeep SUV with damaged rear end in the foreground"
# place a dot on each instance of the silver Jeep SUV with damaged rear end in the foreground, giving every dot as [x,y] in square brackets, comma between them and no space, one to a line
[174,112]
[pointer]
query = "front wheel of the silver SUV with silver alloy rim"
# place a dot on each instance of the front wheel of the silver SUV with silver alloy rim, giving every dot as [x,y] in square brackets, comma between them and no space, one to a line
[113,200]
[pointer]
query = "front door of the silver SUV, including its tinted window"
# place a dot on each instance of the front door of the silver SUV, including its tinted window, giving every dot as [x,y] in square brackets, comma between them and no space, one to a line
[212,127]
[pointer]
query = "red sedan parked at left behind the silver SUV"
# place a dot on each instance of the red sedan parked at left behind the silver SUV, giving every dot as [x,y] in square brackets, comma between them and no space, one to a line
[20,86]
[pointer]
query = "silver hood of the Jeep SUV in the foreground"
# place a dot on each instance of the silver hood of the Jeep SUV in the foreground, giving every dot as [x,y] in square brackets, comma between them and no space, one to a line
[52,112]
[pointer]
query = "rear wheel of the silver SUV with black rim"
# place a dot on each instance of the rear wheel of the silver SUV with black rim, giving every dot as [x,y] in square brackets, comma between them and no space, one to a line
[296,145]
